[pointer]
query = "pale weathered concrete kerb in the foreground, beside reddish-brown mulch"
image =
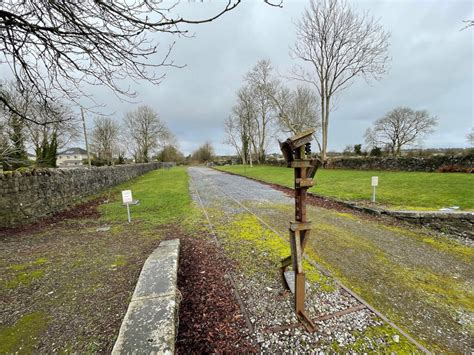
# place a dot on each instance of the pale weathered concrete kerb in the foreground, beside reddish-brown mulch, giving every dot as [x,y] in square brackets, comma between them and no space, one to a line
[150,324]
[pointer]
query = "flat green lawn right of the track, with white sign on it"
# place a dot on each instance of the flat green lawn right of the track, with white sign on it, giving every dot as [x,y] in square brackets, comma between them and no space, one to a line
[397,190]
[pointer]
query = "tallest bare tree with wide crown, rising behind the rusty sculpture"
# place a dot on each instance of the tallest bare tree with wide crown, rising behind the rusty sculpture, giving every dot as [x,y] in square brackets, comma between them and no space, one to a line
[337,45]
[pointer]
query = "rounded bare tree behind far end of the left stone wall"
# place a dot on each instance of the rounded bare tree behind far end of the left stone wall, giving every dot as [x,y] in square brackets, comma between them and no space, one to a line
[146,132]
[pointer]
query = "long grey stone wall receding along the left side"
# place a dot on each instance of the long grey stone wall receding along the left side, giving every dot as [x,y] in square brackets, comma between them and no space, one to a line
[29,195]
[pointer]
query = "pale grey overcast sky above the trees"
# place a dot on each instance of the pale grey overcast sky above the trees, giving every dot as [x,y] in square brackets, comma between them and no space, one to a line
[431,68]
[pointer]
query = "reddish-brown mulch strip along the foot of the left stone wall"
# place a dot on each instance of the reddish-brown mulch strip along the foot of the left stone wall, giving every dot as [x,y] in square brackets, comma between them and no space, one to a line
[86,210]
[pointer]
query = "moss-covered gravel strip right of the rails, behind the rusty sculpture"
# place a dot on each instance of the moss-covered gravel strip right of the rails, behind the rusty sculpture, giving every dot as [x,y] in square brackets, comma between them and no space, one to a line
[421,279]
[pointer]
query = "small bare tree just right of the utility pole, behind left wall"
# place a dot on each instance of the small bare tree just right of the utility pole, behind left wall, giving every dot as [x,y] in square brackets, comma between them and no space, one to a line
[104,138]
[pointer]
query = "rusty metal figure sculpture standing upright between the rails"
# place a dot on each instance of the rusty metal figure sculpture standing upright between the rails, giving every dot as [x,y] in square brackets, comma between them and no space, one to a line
[297,153]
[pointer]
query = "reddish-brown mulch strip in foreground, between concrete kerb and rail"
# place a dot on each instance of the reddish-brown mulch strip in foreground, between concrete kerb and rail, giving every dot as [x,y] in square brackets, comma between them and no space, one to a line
[210,320]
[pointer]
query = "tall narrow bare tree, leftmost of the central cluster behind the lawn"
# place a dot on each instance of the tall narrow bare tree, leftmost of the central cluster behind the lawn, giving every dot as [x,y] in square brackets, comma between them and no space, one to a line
[262,89]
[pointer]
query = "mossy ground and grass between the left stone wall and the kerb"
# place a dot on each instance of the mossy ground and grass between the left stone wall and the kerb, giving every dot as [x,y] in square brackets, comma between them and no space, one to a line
[65,287]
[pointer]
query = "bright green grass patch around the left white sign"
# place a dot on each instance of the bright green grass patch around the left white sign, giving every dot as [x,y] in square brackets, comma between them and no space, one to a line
[163,195]
